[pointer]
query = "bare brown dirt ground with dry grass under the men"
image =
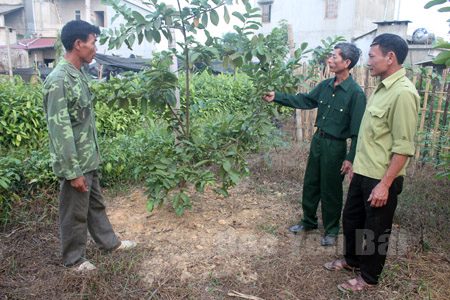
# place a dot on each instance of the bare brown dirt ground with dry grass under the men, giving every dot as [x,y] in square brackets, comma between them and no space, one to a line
[237,247]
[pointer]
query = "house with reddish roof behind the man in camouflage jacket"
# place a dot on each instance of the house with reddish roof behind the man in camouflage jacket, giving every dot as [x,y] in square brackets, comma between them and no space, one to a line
[32,27]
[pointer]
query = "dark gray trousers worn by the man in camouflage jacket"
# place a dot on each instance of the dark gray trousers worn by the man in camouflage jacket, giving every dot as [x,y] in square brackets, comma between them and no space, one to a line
[80,212]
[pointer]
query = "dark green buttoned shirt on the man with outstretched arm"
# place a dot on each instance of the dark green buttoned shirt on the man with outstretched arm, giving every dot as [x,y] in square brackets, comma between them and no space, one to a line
[340,108]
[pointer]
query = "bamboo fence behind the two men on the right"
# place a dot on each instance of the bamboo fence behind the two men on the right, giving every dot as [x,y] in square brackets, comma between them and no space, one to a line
[432,136]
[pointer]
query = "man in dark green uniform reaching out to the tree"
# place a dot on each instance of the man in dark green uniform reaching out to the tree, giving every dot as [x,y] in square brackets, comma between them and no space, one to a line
[341,103]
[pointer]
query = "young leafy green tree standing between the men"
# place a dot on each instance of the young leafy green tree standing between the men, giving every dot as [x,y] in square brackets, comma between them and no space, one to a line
[216,153]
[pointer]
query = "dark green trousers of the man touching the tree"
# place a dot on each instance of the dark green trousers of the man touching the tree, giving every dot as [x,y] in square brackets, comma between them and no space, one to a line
[323,182]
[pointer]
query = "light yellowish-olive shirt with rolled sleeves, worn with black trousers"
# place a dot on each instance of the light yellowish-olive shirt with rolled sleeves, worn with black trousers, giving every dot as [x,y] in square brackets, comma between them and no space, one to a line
[388,126]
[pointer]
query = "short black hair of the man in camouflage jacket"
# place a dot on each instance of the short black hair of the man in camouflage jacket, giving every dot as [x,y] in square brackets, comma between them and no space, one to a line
[77,30]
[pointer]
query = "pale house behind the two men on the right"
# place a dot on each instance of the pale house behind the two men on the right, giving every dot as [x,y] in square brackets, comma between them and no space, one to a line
[359,21]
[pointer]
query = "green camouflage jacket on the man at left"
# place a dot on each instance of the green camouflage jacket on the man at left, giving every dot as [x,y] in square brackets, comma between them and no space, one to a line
[70,122]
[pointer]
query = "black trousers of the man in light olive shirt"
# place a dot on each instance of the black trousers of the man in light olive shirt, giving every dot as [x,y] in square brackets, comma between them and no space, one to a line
[367,229]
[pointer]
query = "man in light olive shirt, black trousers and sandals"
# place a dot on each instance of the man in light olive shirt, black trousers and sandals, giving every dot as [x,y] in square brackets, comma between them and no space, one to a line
[385,143]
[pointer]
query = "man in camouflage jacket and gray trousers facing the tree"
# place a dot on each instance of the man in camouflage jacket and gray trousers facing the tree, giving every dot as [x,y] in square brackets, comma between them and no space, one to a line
[74,151]
